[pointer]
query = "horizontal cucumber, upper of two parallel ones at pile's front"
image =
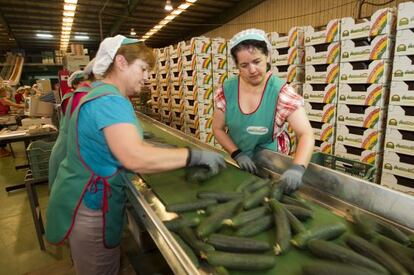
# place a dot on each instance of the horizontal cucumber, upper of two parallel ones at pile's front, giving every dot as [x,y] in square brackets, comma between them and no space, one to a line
[237,244]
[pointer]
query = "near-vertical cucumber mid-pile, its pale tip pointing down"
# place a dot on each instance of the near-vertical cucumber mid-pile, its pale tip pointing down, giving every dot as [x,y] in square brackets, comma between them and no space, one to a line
[283,234]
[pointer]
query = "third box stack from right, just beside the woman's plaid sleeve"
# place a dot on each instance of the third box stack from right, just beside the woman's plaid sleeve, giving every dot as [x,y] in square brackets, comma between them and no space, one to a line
[322,48]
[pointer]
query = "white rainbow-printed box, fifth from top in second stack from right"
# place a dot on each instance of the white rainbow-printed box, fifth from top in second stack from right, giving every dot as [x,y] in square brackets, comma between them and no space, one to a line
[361,116]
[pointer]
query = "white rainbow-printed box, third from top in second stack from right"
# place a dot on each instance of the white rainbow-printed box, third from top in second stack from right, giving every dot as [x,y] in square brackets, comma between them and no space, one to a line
[376,71]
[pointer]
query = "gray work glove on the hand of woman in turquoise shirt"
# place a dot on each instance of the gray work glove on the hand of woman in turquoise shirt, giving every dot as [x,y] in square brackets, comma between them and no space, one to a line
[214,161]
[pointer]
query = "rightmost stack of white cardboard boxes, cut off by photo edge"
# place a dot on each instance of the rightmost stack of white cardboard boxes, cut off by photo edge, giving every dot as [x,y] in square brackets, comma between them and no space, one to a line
[398,171]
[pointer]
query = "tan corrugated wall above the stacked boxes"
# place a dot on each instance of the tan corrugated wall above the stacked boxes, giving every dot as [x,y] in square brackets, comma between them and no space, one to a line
[281,15]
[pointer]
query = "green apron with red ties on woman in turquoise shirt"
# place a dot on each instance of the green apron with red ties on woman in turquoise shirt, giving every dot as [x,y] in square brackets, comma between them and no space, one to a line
[74,177]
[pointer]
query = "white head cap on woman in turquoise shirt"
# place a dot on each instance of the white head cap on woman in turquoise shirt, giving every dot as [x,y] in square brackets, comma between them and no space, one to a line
[107,50]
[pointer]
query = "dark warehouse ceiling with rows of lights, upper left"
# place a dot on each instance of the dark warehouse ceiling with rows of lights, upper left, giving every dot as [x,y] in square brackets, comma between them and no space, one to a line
[21,20]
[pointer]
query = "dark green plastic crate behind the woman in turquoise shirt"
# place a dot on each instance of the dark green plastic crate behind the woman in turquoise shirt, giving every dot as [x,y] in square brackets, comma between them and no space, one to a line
[38,154]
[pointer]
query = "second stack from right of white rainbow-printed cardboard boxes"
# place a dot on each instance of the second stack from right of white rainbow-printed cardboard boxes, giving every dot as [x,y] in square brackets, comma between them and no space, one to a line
[366,58]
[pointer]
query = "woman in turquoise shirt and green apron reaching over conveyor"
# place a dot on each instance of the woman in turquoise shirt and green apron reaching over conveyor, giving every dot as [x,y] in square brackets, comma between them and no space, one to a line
[105,140]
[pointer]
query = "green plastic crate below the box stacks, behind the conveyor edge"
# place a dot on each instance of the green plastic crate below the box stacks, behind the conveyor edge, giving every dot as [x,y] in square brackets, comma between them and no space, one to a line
[347,166]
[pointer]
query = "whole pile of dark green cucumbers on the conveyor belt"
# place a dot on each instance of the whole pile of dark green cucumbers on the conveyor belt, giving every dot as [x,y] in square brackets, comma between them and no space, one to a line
[259,205]
